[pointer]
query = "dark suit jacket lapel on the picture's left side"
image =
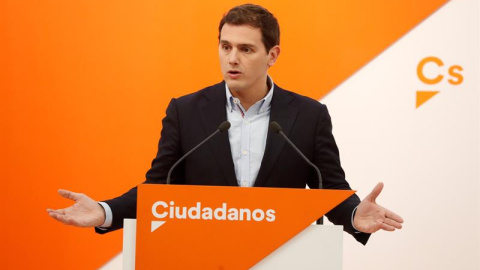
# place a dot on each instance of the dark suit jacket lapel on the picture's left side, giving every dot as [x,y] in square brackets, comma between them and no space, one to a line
[213,113]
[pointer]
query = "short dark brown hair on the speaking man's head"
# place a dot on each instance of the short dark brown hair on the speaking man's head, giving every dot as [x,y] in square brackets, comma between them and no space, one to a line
[255,16]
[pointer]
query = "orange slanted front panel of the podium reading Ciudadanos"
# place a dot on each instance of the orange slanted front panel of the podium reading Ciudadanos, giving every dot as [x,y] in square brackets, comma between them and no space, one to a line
[210,227]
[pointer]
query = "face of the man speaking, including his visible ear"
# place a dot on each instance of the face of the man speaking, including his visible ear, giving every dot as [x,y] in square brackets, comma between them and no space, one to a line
[243,59]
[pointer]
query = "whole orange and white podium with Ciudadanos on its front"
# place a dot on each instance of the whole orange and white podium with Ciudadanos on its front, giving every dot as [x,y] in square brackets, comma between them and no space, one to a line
[207,227]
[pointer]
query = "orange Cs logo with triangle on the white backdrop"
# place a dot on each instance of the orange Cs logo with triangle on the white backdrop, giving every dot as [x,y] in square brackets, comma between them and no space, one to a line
[429,71]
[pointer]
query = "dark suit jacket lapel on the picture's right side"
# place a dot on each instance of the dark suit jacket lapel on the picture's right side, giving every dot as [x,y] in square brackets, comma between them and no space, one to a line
[285,115]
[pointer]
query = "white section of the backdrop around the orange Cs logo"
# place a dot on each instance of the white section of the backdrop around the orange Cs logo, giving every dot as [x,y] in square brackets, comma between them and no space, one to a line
[427,157]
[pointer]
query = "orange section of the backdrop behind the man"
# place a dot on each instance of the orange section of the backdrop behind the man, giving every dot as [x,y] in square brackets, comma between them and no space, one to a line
[84,86]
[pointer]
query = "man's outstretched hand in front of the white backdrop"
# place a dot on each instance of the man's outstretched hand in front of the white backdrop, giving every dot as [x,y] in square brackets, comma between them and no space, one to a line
[371,217]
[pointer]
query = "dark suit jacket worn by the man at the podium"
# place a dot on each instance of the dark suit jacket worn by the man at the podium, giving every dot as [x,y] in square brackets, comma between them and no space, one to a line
[191,118]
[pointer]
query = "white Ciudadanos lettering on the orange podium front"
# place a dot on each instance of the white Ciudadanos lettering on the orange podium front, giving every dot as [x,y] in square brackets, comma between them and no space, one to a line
[207,213]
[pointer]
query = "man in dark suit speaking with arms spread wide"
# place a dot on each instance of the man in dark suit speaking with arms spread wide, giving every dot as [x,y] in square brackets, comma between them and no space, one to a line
[249,154]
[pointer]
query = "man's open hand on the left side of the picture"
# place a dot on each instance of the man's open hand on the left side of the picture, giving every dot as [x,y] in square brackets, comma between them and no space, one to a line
[84,213]
